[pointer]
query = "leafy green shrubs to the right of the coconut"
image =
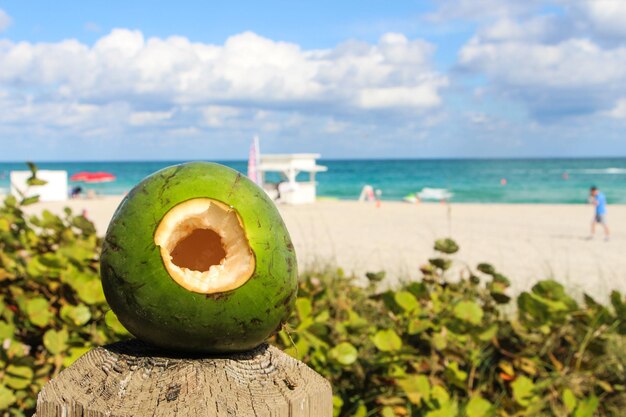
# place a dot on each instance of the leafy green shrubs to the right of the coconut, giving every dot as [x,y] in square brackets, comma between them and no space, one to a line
[440,347]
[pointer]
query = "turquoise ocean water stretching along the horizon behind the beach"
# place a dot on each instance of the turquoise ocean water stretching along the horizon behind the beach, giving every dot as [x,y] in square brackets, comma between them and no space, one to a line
[528,180]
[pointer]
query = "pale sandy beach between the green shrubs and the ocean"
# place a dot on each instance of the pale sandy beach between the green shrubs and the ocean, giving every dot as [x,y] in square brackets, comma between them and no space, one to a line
[526,242]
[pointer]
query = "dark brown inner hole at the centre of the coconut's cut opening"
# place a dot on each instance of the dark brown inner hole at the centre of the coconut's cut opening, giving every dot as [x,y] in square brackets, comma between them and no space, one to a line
[199,250]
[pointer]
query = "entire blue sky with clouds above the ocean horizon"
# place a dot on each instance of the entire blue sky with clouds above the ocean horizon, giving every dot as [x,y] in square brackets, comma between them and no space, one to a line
[190,80]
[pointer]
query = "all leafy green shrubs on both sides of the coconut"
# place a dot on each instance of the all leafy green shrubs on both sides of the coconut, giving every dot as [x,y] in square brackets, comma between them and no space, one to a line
[433,347]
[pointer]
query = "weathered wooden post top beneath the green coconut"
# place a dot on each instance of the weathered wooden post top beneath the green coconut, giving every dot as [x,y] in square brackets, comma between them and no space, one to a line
[133,379]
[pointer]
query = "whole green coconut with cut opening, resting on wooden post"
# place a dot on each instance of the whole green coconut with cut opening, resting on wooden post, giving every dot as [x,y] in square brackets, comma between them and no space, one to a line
[197,258]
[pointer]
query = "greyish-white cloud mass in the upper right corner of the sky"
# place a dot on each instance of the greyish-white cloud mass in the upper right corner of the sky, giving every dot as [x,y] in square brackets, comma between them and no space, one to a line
[556,64]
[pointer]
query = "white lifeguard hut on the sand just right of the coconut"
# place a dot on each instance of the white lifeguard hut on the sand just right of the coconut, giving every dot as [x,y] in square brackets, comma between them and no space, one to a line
[290,190]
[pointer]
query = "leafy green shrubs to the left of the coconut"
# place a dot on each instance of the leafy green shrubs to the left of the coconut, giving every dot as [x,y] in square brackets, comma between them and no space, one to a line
[52,309]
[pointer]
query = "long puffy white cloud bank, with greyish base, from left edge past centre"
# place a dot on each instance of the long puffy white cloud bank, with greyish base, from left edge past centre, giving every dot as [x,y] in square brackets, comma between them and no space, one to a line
[176,84]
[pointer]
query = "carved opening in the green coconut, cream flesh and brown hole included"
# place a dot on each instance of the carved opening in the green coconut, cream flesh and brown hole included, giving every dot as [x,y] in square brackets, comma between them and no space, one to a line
[204,246]
